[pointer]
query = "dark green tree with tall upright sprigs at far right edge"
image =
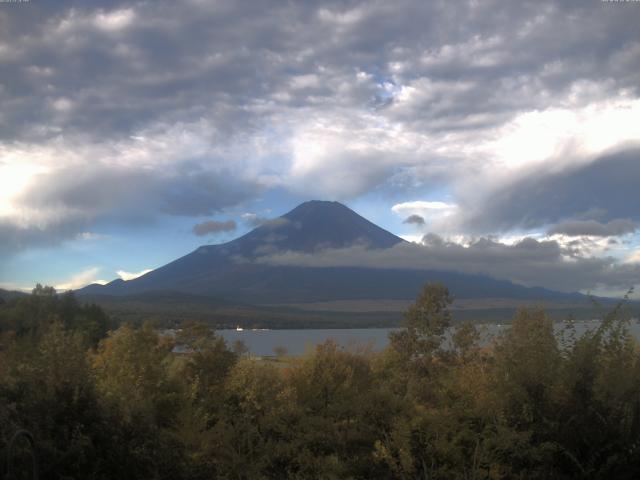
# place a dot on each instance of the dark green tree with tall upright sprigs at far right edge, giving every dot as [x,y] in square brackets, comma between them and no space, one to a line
[600,408]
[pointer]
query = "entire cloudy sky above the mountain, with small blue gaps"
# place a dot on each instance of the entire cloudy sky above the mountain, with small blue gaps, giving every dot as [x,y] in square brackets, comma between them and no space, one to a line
[500,137]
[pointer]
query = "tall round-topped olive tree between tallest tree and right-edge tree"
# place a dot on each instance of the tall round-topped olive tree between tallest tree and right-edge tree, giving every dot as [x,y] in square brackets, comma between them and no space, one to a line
[527,389]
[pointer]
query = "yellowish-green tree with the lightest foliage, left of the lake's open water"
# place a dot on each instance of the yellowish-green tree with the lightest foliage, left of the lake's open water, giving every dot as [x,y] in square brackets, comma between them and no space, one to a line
[142,400]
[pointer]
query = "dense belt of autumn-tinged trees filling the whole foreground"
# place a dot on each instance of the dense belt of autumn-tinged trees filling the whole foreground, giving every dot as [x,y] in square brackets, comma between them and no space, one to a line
[107,401]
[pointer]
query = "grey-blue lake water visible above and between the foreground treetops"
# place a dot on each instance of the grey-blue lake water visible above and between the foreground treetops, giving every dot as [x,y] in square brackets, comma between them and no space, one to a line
[297,342]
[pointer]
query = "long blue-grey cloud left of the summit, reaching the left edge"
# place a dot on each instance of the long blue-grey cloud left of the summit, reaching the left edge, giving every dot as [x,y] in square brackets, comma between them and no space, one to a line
[71,200]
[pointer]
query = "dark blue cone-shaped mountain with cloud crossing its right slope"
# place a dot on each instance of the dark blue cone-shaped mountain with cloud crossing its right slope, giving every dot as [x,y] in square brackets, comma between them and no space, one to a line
[229,271]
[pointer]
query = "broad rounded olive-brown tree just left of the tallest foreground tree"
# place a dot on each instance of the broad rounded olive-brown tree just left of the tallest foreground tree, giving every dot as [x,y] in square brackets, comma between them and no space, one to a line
[342,412]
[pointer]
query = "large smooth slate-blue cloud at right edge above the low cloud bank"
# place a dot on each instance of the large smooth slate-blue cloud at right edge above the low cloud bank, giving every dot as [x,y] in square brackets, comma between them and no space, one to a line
[605,188]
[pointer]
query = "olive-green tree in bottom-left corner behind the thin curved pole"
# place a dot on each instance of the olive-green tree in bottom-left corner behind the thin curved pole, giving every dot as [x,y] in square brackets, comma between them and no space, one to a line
[47,389]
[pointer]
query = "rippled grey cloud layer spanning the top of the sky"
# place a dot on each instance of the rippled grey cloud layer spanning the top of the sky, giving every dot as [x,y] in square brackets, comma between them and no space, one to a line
[241,65]
